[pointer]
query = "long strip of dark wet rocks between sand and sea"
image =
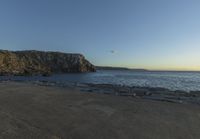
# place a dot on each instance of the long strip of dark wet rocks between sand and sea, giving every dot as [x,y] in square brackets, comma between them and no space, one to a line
[151,93]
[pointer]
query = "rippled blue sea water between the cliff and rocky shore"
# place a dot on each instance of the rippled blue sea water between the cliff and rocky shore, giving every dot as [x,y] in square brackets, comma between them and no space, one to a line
[187,81]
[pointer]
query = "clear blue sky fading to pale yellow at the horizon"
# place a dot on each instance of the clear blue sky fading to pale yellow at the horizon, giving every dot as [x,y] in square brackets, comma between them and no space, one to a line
[150,34]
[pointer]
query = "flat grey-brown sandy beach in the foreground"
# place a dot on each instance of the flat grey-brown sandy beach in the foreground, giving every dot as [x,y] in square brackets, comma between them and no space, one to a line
[29,111]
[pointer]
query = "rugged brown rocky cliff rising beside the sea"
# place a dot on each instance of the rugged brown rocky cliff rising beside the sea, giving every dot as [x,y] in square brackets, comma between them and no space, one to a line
[38,62]
